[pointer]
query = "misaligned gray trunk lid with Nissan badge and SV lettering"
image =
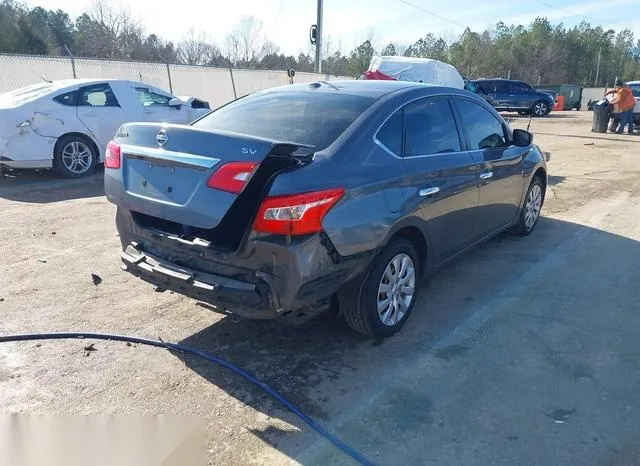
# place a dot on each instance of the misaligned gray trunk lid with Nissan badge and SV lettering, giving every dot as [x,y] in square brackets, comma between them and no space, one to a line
[164,173]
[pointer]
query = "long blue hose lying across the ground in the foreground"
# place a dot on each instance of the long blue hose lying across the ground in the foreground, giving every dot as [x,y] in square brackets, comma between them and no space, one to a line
[204,355]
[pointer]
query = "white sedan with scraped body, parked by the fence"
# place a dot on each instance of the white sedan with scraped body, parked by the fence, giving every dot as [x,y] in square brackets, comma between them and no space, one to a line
[66,125]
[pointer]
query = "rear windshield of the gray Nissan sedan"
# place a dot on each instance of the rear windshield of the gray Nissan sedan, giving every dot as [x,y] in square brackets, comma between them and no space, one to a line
[313,119]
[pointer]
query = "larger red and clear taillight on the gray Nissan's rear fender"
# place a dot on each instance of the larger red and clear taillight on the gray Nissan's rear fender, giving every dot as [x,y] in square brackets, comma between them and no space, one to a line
[299,214]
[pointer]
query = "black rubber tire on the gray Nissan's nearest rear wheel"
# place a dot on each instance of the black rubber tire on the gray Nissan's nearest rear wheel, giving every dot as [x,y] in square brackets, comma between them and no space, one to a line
[359,300]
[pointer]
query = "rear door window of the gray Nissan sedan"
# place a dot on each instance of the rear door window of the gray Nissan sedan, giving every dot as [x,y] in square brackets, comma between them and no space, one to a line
[430,128]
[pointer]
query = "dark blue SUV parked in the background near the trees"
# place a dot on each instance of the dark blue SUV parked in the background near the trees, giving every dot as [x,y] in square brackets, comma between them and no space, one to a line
[513,96]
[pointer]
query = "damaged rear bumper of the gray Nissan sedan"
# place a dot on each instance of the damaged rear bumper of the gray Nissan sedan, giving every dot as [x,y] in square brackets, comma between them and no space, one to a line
[269,279]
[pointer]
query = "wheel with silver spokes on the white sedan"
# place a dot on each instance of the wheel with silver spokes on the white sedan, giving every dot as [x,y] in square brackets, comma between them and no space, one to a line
[74,156]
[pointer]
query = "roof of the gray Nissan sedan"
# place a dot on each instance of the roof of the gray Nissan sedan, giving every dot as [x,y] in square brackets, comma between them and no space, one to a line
[360,87]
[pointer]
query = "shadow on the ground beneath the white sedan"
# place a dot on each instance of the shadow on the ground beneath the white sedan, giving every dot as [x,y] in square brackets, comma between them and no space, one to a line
[44,186]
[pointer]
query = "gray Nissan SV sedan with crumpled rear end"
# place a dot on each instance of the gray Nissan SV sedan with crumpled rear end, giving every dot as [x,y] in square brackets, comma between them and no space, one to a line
[293,200]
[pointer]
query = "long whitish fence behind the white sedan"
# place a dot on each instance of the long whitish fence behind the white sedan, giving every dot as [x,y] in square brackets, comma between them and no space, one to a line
[216,85]
